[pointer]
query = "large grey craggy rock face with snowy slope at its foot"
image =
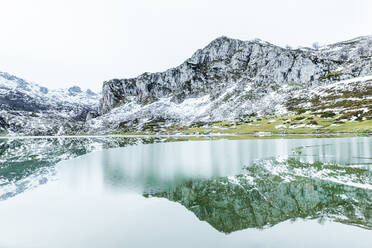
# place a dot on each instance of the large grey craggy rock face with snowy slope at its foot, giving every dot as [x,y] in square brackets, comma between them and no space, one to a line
[230,78]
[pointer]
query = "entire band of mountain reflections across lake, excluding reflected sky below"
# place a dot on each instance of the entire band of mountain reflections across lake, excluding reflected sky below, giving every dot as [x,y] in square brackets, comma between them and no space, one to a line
[230,184]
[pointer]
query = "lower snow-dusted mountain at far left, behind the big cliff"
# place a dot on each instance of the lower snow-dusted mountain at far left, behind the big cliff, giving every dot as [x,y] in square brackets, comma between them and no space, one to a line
[27,108]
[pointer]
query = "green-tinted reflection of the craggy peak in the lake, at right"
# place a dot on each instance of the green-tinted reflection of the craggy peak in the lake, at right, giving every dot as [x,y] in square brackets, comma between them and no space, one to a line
[265,196]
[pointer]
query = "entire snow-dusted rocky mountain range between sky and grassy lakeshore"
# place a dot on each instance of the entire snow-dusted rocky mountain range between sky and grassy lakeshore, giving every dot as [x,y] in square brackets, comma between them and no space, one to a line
[229,79]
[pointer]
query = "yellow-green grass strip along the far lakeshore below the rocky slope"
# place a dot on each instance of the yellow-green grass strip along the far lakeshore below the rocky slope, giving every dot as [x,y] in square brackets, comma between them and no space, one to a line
[297,124]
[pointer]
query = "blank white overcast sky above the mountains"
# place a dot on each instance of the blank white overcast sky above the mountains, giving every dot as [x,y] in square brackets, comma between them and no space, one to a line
[61,43]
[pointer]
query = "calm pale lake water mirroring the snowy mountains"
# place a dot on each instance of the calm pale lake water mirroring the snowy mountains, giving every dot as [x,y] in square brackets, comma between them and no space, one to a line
[220,193]
